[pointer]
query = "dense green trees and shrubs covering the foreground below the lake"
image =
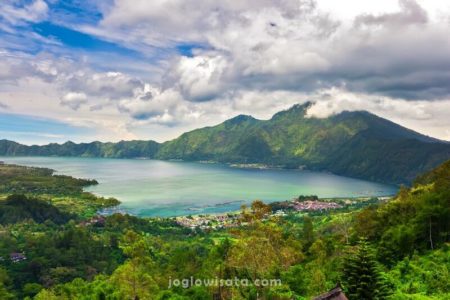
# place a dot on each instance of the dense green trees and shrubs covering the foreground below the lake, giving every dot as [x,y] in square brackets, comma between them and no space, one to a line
[394,250]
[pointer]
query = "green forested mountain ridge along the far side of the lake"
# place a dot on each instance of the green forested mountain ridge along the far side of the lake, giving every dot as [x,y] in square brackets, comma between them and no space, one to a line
[357,144]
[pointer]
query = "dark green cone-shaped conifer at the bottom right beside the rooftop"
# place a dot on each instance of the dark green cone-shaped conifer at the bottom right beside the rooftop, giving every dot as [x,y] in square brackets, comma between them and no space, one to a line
[361,276]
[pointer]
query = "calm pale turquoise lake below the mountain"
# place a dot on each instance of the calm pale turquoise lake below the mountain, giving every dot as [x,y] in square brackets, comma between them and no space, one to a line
[163,188]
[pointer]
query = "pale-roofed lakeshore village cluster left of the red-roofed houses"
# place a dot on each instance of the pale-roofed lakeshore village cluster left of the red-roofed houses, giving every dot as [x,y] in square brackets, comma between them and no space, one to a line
[209,221]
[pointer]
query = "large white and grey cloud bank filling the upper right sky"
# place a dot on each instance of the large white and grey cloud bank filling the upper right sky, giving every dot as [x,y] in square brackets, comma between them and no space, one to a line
[290,45]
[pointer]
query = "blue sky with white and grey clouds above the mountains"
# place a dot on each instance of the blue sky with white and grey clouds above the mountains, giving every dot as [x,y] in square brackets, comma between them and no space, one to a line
[112,70]
